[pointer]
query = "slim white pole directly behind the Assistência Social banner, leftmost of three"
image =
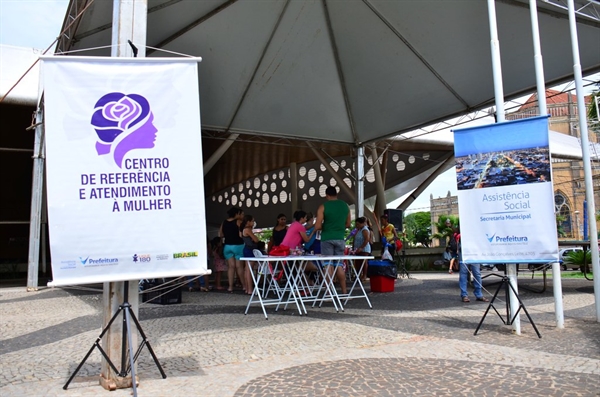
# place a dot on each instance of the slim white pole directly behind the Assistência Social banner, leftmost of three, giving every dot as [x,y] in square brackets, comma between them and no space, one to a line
[511,268]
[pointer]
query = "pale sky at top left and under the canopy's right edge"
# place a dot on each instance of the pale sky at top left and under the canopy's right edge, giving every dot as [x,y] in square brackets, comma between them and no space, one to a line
[37,23]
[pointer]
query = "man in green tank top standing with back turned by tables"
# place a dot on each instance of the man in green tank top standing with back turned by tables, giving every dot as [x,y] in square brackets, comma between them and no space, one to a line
[333,217]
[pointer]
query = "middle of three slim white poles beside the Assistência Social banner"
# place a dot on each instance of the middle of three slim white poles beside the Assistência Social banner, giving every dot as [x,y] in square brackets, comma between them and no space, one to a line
[541,89]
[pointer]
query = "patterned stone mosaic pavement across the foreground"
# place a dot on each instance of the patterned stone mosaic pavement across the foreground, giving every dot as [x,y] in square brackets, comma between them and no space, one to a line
[416,341]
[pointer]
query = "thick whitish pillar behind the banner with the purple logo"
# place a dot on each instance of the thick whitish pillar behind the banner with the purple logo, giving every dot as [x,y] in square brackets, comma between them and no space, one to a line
[129,23]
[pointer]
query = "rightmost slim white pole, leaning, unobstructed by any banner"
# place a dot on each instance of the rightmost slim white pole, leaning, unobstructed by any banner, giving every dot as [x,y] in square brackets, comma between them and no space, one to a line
[585,149]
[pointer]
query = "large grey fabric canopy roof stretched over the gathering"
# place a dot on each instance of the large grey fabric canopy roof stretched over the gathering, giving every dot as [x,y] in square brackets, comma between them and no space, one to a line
[347,71]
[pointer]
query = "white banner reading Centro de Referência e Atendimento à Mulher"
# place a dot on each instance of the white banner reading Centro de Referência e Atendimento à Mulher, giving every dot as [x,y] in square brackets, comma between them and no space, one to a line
[124,168]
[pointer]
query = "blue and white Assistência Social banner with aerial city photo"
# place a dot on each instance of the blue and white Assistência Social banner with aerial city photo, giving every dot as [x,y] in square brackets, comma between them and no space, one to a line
[505,193]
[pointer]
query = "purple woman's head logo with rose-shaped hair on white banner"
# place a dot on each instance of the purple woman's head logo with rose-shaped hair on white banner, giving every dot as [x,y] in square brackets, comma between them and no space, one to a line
[123,123]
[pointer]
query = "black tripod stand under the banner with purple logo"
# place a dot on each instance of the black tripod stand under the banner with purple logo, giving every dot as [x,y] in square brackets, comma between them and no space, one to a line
[128,315]
